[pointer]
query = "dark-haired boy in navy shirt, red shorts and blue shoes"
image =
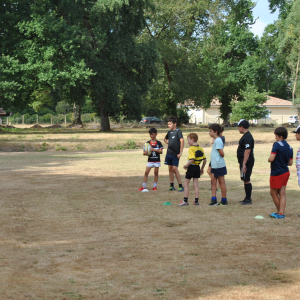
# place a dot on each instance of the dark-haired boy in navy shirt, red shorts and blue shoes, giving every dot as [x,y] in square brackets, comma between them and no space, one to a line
[281,157]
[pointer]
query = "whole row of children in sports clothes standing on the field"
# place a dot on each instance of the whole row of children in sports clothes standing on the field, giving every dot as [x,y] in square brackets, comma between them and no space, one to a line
[281,157]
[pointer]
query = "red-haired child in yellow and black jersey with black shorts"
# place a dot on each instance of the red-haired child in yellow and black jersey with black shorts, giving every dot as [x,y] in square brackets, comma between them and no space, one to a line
[196,156]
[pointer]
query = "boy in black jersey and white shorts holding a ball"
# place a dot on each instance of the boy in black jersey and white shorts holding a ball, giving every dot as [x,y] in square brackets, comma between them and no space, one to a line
[153,160]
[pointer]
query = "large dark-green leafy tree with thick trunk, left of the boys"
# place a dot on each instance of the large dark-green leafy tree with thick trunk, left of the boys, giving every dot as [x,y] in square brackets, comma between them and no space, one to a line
[89,47]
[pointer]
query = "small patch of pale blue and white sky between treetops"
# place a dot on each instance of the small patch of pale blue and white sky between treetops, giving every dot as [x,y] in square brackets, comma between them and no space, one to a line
[261,10]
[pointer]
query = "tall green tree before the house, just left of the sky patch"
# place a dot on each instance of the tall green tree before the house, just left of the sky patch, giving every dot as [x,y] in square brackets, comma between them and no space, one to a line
[227,57]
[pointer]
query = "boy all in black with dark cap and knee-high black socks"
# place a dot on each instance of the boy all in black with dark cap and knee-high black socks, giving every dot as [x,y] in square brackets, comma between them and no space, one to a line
[246,159]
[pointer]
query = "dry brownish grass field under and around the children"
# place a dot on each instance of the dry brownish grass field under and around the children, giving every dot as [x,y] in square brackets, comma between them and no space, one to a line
[73,226]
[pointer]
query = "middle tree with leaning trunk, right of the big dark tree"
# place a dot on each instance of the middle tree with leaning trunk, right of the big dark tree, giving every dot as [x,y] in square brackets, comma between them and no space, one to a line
[176,26]
